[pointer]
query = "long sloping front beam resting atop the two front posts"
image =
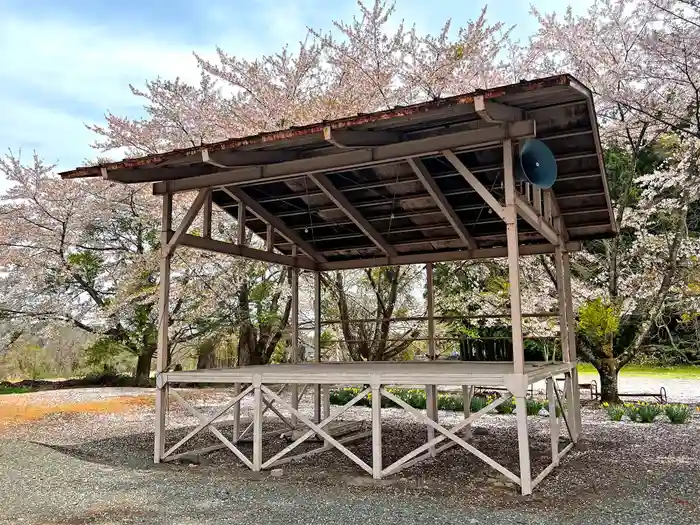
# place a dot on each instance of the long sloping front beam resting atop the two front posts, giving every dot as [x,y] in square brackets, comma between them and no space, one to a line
[353,159]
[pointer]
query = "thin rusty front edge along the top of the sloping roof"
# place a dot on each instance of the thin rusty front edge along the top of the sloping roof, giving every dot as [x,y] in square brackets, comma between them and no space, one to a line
[317,128]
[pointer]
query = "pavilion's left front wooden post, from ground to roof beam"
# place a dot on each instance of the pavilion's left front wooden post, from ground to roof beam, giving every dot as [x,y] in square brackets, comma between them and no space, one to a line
[163,324]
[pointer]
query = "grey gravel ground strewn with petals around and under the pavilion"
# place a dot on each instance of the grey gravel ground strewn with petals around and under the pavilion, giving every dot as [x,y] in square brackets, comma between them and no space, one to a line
[97,469]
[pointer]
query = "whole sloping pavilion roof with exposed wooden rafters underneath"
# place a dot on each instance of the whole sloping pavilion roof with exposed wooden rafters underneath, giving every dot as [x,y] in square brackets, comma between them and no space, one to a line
[411,185]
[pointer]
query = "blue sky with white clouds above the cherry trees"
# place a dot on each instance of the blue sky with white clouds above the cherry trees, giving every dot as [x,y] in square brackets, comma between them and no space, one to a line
[63,64]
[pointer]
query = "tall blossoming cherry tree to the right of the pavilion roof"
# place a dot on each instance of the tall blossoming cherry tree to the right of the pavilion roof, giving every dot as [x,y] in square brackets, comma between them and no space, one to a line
[640,60]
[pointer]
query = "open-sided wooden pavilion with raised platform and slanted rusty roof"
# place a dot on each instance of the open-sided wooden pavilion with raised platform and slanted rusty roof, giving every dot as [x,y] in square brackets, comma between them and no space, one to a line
[419,184]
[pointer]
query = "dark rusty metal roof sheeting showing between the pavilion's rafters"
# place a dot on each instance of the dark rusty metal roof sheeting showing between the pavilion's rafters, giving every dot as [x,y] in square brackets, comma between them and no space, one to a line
[389,195]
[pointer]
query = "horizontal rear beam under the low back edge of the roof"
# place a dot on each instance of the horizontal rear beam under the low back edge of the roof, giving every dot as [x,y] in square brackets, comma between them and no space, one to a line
[457,255]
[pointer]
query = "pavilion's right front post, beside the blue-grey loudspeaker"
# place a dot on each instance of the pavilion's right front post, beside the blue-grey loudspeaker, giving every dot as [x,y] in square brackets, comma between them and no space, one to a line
[516,317]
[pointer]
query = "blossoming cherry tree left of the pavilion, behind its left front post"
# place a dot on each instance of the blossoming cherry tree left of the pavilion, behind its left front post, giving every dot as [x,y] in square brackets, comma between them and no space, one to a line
[84,254]
